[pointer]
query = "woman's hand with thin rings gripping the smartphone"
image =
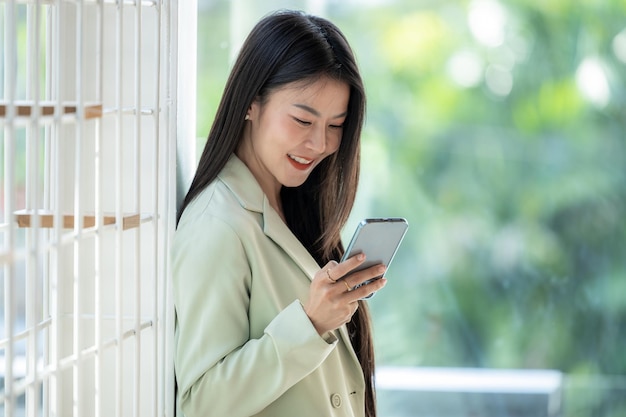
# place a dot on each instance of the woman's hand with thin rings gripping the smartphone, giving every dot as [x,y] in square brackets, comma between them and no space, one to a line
[333,298]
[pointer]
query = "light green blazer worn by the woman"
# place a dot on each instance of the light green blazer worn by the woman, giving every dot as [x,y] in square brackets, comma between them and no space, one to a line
[243,344]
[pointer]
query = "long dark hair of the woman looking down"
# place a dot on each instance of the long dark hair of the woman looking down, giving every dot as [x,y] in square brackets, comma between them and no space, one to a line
[286,47]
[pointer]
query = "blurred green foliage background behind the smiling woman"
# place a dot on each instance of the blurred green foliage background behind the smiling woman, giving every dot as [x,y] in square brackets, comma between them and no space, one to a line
[516,253]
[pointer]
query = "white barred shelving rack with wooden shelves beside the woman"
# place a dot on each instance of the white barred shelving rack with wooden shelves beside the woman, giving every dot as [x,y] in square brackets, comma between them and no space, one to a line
[88,127]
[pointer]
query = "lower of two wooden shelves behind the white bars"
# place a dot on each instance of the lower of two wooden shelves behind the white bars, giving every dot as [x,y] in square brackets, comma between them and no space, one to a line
[25,218]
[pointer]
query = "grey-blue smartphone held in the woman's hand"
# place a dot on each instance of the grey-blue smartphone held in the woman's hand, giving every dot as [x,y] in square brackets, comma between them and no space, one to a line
[379,239]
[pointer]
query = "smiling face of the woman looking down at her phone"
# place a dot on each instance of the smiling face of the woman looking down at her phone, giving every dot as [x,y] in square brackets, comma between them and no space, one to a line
[292,131]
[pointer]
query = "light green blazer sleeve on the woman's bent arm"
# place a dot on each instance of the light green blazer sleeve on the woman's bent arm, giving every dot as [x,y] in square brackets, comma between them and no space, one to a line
[219,370]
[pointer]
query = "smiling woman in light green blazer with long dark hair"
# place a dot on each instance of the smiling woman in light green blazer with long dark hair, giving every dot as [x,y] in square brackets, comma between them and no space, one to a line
[267,322]
